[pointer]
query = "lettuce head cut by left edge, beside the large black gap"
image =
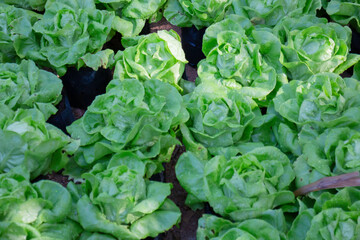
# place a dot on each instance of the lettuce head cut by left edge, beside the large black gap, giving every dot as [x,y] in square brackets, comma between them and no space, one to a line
[26,86]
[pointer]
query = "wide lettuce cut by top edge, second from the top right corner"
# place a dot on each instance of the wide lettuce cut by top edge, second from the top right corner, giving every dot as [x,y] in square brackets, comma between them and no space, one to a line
[269,13]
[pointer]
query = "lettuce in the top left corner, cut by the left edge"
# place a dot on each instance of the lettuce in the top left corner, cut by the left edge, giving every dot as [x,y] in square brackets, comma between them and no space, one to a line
[17,38]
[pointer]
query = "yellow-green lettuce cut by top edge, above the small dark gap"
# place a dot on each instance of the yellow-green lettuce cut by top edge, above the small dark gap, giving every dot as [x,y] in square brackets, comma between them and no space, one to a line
[200,13]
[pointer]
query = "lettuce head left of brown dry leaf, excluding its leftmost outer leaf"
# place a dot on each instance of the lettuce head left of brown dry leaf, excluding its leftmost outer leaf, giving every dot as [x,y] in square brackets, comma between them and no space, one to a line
[244,186]
